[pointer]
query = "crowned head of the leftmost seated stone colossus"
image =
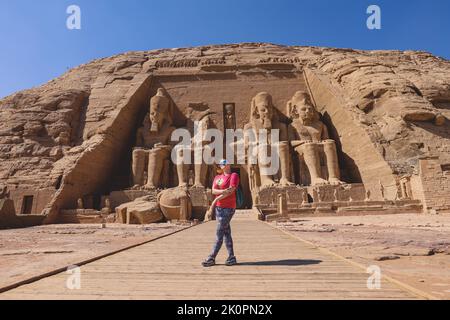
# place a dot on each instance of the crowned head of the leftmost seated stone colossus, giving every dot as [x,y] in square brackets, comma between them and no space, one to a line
[160,110]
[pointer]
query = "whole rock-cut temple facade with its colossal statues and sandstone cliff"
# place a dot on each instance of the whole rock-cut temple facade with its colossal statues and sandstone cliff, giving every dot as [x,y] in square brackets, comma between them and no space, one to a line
[360,132]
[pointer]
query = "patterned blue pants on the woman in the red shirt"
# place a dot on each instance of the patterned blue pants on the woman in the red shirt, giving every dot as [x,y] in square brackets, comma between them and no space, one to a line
[223,217]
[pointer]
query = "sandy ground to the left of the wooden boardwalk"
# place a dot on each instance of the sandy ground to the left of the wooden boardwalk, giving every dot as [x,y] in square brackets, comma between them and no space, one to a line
[25,253]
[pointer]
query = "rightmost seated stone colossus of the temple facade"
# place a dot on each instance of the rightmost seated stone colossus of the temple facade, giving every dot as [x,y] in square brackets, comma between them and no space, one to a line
[309,139]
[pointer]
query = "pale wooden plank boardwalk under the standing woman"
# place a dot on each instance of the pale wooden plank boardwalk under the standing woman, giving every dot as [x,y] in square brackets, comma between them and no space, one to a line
[273,265]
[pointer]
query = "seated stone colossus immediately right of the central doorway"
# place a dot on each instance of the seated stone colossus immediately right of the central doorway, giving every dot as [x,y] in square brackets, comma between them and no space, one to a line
[263,117]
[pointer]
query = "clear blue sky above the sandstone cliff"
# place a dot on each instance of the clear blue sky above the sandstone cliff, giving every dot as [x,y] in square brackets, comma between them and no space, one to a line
[36,46]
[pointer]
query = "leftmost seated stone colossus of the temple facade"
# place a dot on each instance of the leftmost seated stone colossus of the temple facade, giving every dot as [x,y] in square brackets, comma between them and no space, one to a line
[153,142]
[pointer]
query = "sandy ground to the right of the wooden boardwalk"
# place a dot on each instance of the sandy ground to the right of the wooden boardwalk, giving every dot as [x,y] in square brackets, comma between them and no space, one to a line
[412,248]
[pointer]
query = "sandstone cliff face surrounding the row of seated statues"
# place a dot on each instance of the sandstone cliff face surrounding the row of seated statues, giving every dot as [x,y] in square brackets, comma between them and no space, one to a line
[72,137]
